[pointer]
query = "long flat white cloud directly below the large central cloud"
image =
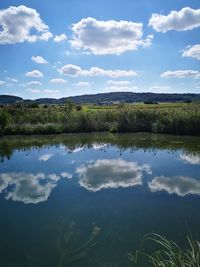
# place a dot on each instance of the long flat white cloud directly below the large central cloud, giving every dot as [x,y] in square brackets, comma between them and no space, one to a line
[74,70]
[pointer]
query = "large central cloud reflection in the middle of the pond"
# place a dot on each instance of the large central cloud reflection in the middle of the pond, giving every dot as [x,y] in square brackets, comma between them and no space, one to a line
[111,173]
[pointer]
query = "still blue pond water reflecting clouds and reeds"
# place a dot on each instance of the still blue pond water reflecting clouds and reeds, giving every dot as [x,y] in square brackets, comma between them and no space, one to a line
[87,200]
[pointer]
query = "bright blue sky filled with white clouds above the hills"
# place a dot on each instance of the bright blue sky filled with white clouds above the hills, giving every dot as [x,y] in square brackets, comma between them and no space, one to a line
[57,48]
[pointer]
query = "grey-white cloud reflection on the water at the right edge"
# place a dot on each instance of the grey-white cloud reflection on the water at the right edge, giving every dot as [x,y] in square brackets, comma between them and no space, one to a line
[180,185]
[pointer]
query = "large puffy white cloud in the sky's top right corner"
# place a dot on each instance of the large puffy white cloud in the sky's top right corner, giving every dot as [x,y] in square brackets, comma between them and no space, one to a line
[183,20]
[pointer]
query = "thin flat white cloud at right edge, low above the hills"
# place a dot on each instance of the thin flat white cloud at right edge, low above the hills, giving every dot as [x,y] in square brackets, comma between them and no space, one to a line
[181,74]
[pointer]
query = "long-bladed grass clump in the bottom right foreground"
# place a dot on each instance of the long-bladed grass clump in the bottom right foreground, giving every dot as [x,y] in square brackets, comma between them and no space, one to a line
[162,252]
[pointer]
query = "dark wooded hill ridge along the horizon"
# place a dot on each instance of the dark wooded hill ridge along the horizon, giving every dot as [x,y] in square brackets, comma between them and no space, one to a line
[106,98]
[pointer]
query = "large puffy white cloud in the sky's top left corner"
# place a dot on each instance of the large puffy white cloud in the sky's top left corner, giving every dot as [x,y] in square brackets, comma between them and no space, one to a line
[18,23]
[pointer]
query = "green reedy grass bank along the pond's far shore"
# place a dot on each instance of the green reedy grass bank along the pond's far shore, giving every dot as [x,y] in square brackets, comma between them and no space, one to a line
[181,118]
